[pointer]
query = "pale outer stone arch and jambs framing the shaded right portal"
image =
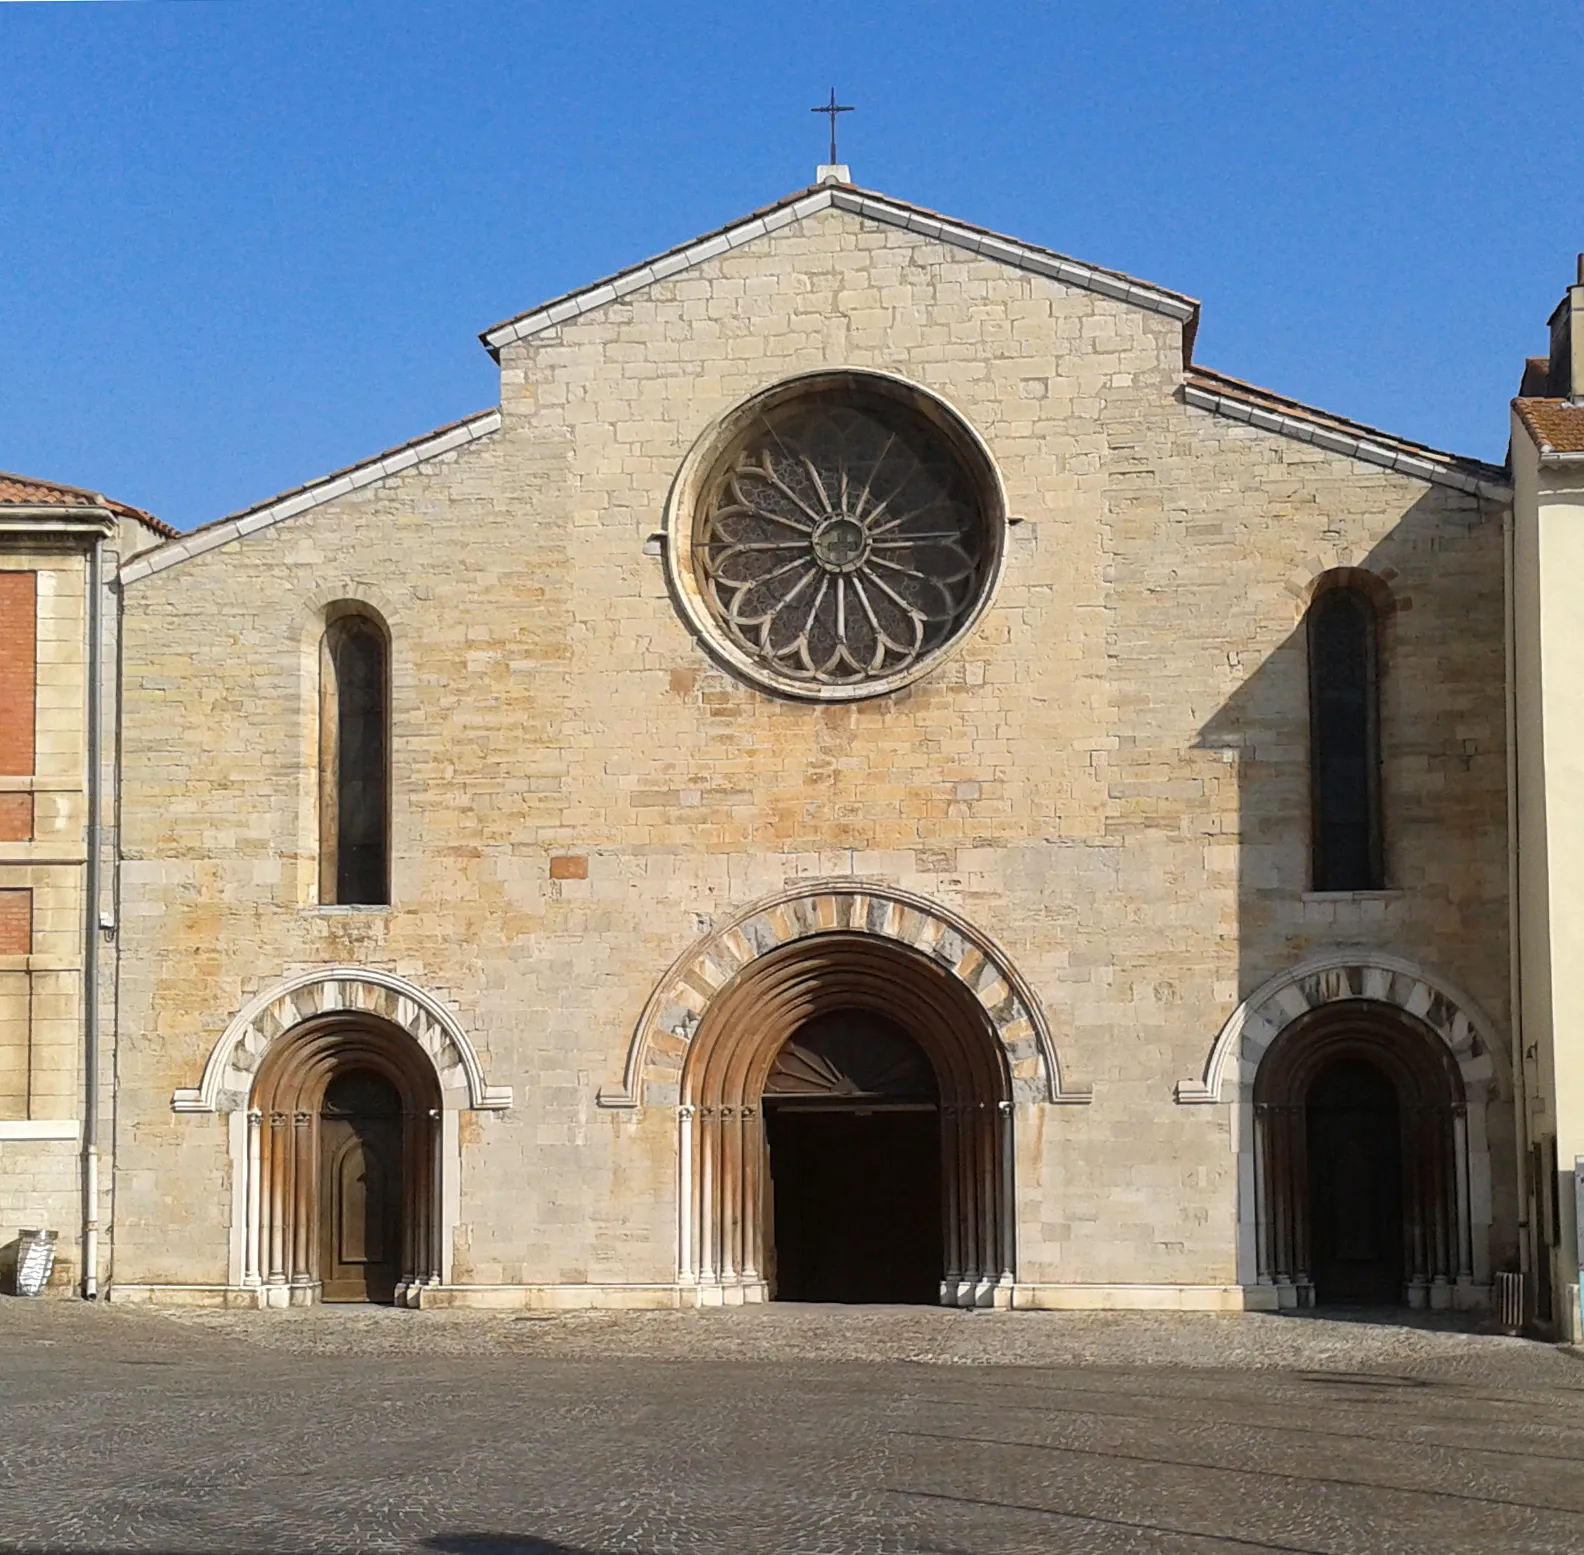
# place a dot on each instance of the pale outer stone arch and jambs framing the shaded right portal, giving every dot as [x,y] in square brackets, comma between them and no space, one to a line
[1346,984]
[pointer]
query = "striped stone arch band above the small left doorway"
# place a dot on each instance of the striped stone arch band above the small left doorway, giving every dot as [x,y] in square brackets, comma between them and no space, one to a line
[354,990]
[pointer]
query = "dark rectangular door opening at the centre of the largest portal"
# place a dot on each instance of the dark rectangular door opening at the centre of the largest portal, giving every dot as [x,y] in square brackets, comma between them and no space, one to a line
[858,1204]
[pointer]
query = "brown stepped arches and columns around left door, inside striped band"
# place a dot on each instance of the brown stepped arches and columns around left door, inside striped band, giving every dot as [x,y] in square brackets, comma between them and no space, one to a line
[284,1192]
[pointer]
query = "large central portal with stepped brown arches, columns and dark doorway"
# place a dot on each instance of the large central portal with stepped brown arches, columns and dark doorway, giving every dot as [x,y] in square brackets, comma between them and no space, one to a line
[834,1082]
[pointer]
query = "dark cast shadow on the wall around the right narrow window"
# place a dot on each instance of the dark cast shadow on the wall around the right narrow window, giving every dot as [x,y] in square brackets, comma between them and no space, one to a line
[1436,584]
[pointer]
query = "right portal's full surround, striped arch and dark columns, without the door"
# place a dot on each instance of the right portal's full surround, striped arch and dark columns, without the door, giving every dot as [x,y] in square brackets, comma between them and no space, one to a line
[1444,1063]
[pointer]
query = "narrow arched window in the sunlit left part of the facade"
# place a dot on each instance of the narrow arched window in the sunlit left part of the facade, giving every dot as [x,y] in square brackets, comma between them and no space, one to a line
[354,764]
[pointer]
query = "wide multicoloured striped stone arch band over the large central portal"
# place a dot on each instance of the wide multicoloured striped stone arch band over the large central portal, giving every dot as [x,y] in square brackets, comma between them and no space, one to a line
[671,1019]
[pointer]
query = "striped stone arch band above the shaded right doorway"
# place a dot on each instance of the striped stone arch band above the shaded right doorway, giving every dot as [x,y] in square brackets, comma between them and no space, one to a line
[1333,979]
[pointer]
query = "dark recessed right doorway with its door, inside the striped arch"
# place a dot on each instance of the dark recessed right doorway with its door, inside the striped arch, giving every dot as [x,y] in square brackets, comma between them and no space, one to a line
[1363,1161]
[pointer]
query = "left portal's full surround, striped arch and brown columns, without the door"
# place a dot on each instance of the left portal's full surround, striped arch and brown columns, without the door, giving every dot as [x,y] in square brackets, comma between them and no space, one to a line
[270,1073]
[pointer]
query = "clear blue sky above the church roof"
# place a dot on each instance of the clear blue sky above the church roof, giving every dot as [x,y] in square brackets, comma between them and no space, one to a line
[243,245]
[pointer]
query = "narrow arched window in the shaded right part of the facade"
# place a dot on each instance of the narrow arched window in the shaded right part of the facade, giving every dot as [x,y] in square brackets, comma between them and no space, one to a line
[1344,742]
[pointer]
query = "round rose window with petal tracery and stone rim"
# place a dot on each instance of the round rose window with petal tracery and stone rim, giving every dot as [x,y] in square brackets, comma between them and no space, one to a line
[836,536]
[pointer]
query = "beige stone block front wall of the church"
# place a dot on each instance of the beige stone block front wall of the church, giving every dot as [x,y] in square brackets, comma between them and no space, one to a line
[1110,778]
